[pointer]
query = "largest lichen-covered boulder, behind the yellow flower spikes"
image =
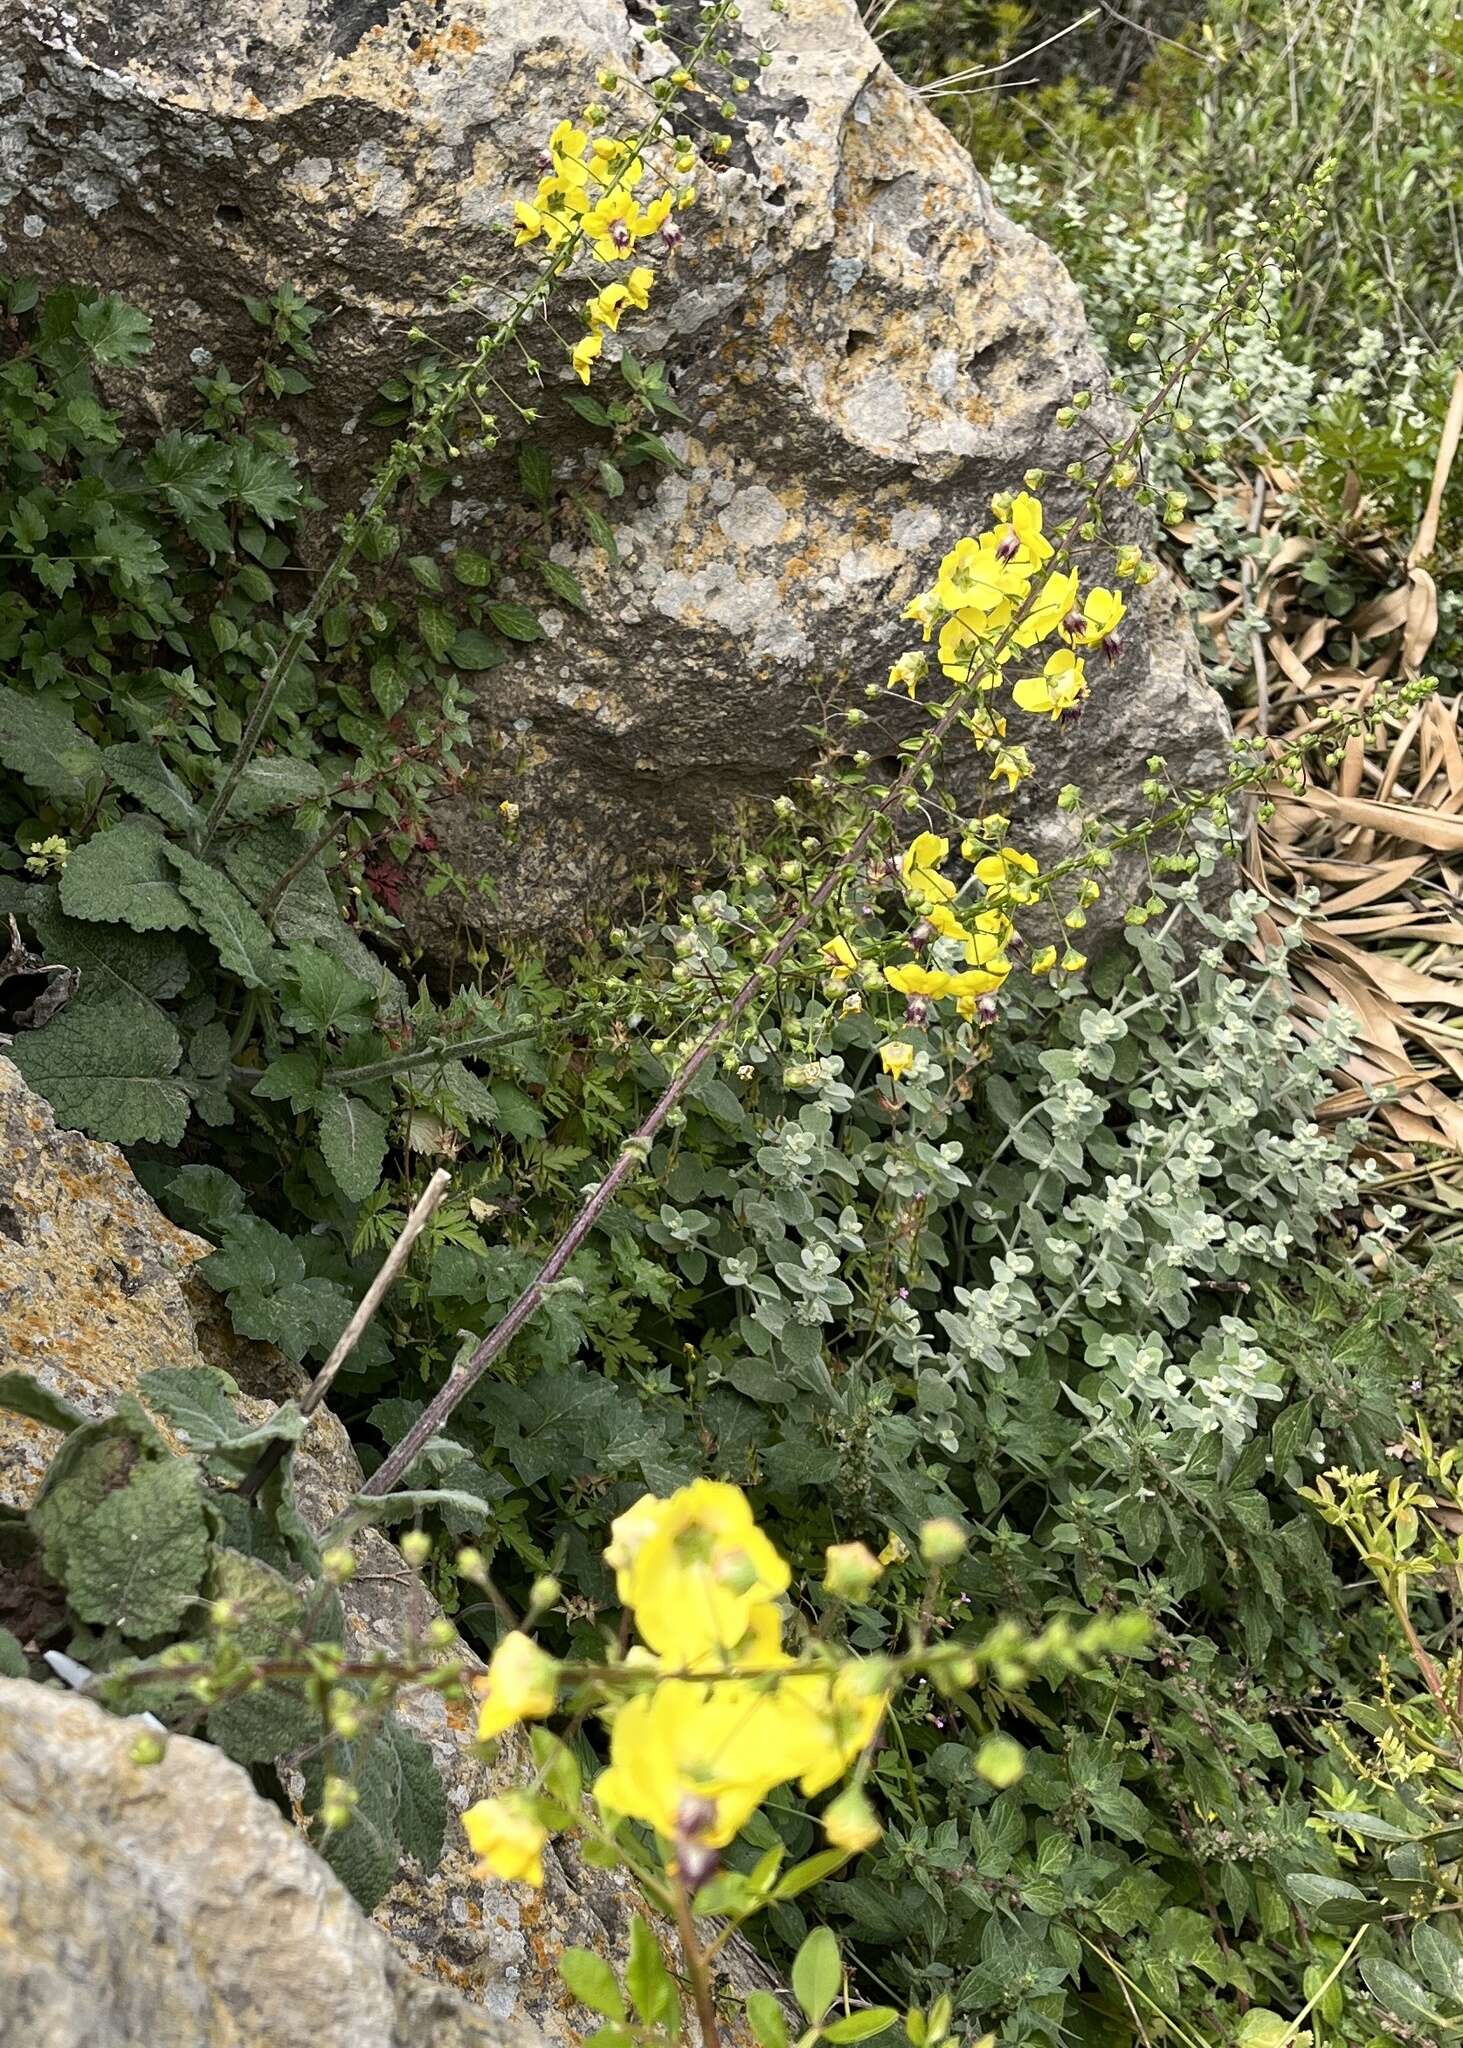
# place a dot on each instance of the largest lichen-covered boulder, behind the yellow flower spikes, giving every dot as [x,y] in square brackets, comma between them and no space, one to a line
[862,343]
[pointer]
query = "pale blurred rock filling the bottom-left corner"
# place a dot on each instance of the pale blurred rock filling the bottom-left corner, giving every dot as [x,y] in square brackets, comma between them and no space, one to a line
[173,1908]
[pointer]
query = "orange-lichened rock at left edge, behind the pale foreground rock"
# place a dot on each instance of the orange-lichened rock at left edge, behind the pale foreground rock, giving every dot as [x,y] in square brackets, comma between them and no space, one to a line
[95,1291]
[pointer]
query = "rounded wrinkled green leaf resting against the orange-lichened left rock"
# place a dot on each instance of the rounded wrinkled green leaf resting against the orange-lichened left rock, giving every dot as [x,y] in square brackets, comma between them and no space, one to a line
[138,1562]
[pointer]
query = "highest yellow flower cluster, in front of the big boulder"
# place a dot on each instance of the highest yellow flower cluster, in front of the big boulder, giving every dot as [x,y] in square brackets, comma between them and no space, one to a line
[587,200]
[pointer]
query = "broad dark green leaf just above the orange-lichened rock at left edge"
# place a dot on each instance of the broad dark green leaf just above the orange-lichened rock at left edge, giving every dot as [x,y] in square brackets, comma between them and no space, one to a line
[106,1066]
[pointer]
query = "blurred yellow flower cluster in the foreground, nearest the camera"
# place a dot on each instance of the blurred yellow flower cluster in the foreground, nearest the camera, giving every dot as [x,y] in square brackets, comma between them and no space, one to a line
[714,1711]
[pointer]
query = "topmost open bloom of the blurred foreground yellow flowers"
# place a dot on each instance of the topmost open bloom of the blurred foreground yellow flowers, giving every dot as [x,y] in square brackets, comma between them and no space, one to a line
[694,1570]
